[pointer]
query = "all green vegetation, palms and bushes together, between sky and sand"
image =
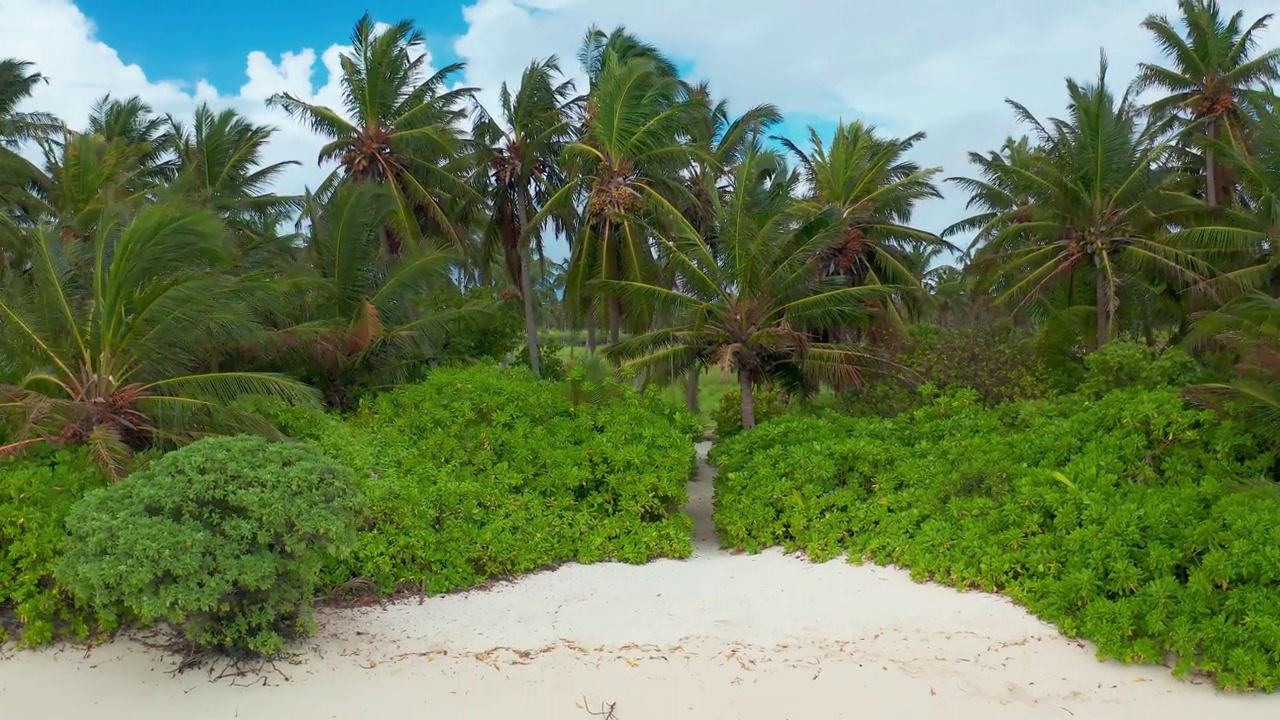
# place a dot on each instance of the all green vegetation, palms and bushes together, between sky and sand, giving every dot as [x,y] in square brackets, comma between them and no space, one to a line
[477,317]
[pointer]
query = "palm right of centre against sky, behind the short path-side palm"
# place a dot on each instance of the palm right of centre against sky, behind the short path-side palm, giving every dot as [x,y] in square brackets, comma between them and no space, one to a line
[866,188]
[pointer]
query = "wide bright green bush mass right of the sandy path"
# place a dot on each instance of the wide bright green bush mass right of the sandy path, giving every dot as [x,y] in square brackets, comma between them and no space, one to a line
[1118,520]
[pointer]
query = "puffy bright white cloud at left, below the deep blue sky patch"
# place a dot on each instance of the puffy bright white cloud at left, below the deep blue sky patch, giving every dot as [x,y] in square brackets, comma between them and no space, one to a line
[83,70]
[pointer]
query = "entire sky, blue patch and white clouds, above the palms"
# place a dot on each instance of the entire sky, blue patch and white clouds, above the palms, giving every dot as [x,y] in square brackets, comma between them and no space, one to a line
[940,67]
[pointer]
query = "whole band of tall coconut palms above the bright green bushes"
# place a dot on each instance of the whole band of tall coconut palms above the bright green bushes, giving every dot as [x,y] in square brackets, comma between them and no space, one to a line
[156,275]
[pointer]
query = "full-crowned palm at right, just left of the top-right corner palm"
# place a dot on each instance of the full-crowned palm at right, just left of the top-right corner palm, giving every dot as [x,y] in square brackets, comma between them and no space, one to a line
[1100,199]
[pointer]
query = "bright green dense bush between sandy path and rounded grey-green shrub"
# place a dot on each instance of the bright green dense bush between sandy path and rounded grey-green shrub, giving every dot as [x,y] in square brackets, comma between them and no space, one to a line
[482,473]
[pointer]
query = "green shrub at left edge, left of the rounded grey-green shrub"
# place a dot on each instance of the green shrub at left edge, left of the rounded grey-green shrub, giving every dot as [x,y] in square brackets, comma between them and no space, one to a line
[36,494]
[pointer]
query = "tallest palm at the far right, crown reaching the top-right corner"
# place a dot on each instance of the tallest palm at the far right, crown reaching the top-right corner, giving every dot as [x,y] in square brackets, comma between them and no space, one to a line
[1212,78]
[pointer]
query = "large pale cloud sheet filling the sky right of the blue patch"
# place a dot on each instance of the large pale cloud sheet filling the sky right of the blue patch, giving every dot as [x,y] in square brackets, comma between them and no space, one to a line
[936,66]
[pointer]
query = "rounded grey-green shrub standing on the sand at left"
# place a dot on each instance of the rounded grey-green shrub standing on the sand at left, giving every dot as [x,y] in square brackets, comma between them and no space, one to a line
[226,539]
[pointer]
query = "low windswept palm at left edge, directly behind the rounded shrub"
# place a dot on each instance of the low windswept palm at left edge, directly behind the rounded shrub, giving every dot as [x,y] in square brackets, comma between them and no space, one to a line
[111,336]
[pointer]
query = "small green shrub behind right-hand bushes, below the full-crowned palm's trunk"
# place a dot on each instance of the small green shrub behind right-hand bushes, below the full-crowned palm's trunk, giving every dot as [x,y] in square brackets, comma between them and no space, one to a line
[1123,364]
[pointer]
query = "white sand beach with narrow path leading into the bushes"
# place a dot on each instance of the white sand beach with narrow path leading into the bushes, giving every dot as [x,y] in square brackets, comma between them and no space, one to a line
[714,637]
